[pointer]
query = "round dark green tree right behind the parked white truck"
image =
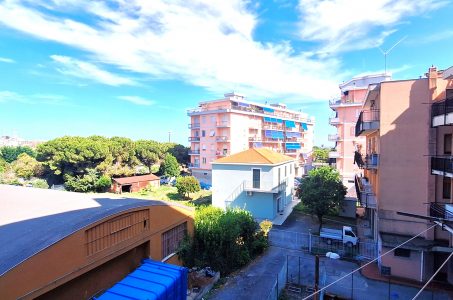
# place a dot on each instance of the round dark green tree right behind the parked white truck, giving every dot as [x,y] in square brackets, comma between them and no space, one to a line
[321,192]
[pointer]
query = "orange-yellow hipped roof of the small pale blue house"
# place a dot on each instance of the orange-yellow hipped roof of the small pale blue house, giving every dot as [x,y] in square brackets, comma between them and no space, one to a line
[259,156]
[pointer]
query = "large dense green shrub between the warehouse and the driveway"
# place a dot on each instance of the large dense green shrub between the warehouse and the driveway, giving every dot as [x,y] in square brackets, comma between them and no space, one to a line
[223,240]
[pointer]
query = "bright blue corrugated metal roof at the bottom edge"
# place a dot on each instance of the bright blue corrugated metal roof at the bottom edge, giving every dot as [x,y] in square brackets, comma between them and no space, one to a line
[152,280]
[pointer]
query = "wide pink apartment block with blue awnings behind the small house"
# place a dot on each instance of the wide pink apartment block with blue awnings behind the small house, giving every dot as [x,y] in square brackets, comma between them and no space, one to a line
[230,125]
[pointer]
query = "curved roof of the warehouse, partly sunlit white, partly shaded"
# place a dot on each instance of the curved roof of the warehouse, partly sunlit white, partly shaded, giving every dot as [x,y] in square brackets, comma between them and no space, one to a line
[33,219]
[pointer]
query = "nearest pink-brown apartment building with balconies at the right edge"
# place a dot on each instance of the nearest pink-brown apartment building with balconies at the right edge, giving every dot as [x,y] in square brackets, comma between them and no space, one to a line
[408,167]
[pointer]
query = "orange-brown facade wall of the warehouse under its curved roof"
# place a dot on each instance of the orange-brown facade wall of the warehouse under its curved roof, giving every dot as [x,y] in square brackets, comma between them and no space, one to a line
[67,259]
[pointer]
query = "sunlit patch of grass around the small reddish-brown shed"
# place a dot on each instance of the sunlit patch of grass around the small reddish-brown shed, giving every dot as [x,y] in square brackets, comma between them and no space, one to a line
[170,193]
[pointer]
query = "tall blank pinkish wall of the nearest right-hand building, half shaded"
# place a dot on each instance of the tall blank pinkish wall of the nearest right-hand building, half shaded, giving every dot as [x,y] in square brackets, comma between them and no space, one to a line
[404,143]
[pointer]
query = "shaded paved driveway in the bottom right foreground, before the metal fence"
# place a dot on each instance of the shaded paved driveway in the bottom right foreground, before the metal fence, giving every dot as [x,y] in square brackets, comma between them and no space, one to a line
[257,279]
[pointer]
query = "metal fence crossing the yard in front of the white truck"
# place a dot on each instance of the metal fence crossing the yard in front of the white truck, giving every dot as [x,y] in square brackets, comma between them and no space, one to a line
[319,245]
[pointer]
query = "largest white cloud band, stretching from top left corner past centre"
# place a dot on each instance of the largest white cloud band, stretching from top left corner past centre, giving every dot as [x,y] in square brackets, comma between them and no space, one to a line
[205,43]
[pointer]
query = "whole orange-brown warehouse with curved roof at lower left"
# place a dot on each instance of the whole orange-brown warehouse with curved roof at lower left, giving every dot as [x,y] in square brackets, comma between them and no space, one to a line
[62,245]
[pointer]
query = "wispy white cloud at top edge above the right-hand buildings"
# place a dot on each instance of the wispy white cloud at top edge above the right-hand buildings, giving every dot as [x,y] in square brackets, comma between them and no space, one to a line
[343,25]
